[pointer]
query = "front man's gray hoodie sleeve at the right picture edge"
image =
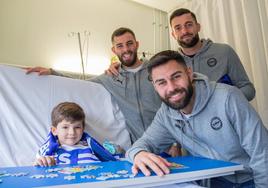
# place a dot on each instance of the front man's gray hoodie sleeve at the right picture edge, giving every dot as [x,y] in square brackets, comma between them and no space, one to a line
[253,136]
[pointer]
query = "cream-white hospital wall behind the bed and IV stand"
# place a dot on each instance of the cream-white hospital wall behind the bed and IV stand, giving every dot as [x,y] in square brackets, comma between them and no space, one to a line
[35,32]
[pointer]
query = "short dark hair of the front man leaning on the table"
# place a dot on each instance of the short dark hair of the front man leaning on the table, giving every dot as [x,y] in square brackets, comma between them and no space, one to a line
[162,58]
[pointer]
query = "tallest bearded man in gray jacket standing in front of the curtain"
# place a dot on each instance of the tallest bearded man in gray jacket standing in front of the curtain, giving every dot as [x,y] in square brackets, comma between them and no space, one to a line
[218,62]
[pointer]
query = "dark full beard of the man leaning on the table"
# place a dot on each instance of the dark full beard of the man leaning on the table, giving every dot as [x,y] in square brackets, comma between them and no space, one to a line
[183,102]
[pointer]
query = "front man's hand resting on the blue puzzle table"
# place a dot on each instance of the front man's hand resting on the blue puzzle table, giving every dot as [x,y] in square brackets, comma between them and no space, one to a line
[145,161]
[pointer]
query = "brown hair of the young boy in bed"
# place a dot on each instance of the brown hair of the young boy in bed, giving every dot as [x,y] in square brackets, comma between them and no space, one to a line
[68,111]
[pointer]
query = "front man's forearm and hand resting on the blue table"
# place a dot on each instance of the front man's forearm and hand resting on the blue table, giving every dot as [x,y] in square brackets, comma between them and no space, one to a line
[156,139]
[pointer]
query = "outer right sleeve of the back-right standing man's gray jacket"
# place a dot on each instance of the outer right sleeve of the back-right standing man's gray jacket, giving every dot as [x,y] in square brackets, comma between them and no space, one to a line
[239,76]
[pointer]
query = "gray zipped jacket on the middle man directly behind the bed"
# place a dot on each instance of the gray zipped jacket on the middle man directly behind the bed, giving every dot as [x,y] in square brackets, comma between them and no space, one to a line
[135,96]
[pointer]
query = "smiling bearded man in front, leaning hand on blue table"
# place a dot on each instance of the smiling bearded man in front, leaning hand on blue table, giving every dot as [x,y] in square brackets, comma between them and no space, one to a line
[209,119]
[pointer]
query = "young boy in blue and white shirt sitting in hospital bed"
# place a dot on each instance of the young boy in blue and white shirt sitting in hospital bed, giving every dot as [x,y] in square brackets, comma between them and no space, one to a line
[67,143]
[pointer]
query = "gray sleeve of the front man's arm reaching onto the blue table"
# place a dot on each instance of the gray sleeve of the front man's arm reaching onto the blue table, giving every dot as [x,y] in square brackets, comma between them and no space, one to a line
[155,139]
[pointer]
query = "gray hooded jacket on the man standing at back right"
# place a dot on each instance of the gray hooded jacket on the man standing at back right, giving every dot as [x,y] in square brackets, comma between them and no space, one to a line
[216,60]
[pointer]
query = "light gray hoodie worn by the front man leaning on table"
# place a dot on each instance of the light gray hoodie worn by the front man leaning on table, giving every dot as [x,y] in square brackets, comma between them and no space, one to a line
[222,125]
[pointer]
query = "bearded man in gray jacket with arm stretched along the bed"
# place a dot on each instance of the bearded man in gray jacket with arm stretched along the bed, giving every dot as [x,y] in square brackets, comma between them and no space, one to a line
[131,89]
